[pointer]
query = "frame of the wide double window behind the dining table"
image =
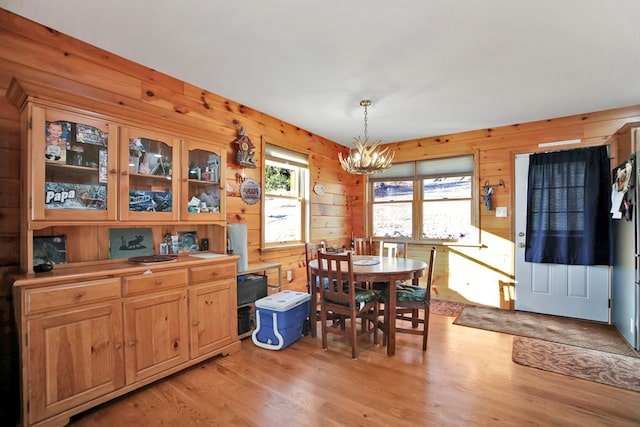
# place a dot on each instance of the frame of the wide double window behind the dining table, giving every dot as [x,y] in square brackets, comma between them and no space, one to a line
[415,171]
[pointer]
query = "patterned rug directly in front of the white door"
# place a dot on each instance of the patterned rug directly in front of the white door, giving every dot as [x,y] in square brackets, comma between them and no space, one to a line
[580,333]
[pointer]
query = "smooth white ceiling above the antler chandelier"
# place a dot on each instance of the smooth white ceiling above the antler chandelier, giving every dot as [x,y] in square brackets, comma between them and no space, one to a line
[430,67]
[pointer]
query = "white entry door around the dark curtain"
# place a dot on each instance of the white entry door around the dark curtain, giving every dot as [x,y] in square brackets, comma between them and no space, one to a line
[576,291]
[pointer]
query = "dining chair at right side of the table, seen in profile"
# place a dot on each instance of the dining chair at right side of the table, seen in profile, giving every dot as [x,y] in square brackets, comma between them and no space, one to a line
[413,299]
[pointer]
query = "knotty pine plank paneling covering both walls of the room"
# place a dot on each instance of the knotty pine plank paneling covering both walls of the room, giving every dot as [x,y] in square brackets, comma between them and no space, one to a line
[34,52]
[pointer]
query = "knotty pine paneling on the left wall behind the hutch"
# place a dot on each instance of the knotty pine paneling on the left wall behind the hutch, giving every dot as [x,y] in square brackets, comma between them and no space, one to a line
[116,86]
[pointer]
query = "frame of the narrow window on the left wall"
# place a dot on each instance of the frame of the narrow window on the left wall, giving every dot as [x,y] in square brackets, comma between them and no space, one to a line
[286,157]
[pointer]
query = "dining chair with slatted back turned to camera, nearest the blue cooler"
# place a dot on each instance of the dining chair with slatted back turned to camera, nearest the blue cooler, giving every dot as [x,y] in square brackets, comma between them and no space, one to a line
[344,301]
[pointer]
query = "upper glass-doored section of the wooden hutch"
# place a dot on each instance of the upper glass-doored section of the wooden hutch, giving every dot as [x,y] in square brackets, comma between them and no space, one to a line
[85,171]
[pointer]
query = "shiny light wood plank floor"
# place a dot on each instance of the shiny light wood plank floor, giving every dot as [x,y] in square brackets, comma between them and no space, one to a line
[466,378]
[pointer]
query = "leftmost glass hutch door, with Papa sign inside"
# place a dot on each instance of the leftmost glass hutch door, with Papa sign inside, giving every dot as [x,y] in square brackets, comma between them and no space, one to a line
[78,156]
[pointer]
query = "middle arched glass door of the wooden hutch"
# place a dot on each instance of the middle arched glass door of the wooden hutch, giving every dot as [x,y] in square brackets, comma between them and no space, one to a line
[148,161]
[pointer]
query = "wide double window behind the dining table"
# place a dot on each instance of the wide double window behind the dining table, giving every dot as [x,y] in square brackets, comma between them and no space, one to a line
[424,200]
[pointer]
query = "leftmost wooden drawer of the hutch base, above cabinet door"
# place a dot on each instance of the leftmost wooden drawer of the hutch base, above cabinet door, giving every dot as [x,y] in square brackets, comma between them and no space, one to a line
[72,294]
